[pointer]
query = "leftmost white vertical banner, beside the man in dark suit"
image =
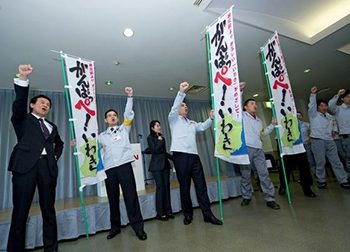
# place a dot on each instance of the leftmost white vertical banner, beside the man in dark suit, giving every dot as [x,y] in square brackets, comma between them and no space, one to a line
[82,98]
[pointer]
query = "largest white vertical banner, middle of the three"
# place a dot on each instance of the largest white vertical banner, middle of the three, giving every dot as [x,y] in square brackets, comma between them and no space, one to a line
[229,136]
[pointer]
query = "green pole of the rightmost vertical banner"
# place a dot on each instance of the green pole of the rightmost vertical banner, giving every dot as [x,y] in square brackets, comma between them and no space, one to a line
[276,128]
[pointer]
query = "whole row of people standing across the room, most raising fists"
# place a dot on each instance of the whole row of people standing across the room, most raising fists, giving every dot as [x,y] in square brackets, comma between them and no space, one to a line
[33,161]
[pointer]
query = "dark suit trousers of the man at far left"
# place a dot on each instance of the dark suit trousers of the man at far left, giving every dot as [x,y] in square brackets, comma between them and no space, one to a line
[23,192]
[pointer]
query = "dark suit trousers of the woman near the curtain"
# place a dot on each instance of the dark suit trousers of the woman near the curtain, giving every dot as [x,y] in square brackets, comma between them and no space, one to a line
[162,179]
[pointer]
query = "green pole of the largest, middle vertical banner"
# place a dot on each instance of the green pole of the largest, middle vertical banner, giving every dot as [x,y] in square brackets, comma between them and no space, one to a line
[214,122]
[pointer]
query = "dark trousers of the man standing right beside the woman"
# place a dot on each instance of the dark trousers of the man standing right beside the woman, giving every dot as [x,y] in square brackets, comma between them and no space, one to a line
[189,166]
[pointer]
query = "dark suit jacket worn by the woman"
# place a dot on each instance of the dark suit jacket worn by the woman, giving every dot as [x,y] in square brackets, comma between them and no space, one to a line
[159,159]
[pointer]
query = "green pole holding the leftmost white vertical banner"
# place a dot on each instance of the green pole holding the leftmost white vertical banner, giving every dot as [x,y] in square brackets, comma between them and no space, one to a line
[72,135]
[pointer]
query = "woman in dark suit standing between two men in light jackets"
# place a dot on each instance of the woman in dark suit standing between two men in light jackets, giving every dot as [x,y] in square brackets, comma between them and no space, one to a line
[160,168]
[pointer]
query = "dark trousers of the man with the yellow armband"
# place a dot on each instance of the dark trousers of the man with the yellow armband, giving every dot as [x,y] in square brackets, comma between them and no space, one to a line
[123,175]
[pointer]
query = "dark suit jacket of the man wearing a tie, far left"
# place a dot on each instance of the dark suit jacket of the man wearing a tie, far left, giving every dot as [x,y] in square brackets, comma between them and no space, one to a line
[30,139]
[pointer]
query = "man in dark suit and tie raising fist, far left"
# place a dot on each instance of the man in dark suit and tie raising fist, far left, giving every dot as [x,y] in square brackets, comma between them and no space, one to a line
[33,163]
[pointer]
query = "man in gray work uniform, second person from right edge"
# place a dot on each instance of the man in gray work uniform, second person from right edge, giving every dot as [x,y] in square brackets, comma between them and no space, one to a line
[322,143]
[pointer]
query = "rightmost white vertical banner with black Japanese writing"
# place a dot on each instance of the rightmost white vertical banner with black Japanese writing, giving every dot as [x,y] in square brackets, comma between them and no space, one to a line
[281,93]
